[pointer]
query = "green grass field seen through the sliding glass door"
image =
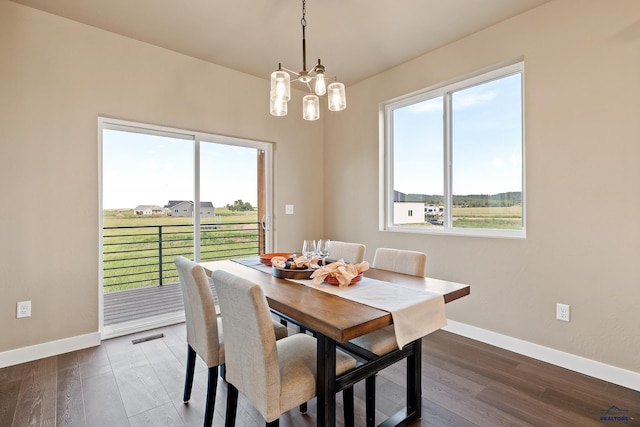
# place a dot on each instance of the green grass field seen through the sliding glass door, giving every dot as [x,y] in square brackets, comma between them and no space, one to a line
[133,251]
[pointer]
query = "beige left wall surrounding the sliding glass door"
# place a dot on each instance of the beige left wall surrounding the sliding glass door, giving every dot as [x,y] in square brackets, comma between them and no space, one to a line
[56,78]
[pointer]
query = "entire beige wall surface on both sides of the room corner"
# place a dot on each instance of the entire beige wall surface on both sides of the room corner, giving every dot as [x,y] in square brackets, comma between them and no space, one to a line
[582,144]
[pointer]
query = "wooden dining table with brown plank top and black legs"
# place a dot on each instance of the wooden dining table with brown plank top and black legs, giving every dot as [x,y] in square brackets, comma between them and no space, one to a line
[336,320]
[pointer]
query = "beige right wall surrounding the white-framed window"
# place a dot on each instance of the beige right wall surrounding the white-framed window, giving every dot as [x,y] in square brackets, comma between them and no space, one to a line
[582,112]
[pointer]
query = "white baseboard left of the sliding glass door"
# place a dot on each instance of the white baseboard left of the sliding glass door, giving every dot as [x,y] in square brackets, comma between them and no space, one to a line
[48,349]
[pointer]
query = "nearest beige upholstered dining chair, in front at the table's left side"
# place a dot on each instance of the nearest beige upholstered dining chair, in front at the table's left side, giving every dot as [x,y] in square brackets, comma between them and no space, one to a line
[275,376]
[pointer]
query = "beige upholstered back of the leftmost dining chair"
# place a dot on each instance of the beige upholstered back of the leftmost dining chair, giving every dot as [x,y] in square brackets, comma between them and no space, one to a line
[200,312]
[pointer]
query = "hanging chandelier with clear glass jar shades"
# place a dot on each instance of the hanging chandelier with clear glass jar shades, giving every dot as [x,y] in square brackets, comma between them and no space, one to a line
[281,85]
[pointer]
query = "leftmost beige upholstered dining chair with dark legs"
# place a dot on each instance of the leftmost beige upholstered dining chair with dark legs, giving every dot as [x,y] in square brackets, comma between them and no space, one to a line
[204,330]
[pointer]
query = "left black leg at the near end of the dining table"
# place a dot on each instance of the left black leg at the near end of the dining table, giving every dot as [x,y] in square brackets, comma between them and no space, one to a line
[326,381]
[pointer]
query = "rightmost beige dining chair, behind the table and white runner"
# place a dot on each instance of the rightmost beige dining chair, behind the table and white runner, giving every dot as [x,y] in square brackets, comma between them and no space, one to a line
[383,341]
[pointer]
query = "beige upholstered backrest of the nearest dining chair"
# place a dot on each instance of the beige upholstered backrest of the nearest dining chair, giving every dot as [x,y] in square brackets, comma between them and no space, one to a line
[251,352]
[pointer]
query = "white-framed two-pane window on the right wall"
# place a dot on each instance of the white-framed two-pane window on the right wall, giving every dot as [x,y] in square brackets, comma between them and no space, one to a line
[457,150]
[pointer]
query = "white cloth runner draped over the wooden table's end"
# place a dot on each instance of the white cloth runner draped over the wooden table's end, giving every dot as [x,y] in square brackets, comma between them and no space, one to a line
[415,312]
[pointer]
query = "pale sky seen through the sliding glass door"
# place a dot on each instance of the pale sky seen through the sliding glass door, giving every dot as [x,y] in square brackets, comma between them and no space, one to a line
[141,169]
